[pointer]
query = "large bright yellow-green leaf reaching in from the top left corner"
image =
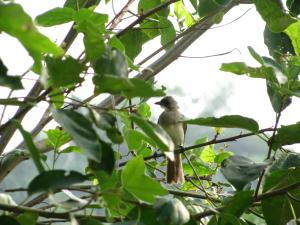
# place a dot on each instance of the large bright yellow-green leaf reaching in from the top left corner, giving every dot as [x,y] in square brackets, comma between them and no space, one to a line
[15,22]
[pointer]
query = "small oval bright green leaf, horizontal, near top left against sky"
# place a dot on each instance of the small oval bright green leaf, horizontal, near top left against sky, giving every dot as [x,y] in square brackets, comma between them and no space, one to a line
[55,16]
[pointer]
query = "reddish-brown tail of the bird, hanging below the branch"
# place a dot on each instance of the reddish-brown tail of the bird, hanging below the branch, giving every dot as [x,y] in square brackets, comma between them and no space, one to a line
[174,170]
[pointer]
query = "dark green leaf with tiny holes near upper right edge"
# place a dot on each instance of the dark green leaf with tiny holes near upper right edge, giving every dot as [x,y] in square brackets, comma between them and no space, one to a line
[278,43]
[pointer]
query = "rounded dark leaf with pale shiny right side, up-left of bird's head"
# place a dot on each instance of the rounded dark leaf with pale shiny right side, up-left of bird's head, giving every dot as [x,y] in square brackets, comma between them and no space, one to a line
[112,62]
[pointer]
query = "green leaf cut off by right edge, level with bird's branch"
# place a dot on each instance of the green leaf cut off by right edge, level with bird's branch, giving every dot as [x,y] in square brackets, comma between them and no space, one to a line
[286,135]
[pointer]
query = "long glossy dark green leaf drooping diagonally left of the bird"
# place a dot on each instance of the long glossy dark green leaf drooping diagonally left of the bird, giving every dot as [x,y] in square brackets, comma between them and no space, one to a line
[82,133]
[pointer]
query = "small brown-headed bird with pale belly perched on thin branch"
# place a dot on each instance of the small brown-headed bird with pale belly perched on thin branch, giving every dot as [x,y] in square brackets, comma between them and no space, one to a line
[169,120]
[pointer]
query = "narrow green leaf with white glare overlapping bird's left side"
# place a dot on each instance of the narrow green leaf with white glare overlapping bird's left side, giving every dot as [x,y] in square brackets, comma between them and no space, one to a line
[155,132]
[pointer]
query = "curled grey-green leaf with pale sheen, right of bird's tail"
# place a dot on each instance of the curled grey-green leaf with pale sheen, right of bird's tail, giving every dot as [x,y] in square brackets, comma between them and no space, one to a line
[240,170]
